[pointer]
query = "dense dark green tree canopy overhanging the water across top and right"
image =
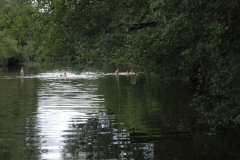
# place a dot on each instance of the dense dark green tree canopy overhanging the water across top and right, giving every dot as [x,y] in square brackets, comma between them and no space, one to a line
[187,39]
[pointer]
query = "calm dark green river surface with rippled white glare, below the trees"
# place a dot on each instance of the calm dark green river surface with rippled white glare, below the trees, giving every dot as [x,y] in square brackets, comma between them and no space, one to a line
[96,115]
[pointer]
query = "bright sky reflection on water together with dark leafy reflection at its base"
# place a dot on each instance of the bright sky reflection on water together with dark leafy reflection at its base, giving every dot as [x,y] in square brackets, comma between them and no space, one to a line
[73,121]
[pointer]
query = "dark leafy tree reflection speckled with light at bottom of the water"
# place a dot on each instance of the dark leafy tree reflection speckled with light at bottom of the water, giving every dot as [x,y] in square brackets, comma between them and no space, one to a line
[98,139]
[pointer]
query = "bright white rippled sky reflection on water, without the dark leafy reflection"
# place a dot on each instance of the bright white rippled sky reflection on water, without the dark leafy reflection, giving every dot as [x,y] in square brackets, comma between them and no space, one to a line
[62,104]
